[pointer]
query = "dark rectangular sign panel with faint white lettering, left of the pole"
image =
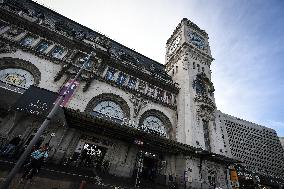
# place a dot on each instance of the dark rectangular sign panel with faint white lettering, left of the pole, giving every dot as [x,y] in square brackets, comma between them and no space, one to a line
[36,101]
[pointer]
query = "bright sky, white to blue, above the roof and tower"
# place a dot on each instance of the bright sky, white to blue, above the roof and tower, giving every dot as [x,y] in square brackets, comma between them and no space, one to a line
[246,40]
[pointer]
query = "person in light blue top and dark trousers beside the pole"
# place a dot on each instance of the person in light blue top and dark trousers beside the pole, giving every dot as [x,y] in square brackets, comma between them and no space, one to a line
[37,159]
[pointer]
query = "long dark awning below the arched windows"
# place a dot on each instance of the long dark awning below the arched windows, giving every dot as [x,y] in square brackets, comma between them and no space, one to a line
[117,130]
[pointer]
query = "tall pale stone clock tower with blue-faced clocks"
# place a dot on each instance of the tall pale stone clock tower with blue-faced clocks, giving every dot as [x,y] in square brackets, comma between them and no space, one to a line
[188,60]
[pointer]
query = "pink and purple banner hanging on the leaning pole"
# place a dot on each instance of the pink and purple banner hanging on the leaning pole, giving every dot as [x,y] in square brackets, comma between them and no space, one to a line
[68,93]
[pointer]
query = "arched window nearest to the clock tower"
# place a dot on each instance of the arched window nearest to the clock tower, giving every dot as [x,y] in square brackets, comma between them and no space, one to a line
[155,125]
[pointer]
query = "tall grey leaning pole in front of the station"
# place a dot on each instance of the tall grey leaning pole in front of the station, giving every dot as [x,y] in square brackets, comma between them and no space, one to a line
[41,129]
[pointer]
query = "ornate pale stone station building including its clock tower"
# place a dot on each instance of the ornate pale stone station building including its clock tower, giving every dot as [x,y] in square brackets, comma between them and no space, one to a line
[129,112]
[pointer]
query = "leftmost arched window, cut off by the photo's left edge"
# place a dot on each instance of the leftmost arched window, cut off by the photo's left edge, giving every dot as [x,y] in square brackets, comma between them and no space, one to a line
[17,77]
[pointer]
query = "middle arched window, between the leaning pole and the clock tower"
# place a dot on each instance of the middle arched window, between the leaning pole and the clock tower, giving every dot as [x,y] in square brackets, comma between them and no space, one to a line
[110,109]
